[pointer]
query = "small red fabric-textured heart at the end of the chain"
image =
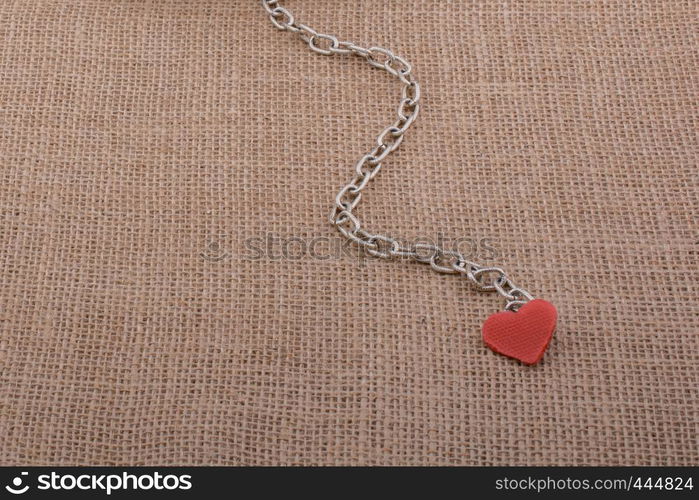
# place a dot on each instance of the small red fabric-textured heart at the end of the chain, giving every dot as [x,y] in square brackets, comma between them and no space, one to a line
[523,335]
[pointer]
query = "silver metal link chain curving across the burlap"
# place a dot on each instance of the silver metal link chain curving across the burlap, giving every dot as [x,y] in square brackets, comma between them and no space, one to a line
[442,260]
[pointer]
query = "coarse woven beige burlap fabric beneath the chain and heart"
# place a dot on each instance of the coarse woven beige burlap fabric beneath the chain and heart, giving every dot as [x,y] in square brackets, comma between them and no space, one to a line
[142,143]
